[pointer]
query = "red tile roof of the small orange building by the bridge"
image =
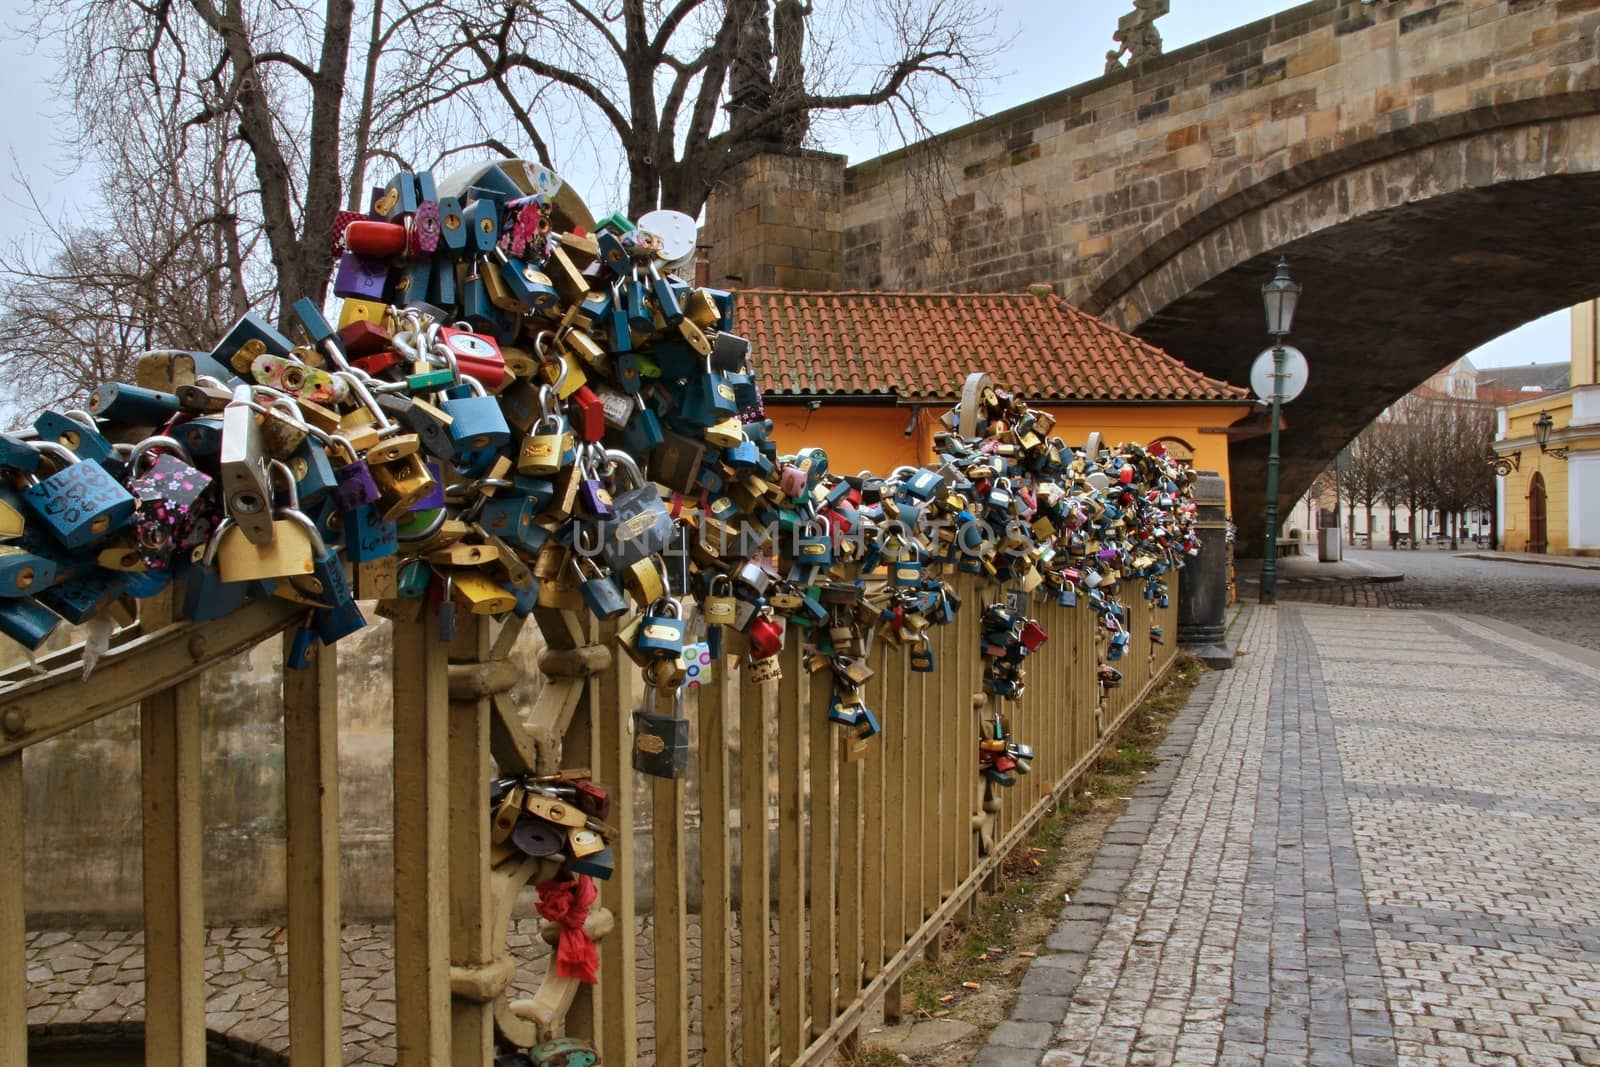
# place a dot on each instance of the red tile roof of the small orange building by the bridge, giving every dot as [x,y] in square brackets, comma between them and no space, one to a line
[922,346]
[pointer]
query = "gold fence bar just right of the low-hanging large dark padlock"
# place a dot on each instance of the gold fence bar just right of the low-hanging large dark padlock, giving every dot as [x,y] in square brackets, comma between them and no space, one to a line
[716,868]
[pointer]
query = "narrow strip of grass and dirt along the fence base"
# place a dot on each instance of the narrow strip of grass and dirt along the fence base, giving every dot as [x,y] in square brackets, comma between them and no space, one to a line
[986,951]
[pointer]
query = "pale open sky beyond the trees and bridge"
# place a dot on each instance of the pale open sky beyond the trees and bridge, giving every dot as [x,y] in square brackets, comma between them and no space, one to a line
[1052,46]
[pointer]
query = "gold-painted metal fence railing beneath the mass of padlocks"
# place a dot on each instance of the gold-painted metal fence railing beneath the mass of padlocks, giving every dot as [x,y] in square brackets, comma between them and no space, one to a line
[826,866]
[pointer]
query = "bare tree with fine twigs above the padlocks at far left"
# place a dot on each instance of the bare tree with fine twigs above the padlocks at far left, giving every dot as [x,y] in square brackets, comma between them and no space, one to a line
[170,263]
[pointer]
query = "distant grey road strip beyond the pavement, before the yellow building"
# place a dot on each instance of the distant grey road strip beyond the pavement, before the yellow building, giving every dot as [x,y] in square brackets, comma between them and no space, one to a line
[1559,602]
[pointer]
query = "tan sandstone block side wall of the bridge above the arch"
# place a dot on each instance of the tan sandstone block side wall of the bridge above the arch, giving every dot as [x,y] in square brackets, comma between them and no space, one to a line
[1097,186]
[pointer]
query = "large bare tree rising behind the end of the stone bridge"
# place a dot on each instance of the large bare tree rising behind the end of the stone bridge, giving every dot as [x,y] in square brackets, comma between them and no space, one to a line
[692,89]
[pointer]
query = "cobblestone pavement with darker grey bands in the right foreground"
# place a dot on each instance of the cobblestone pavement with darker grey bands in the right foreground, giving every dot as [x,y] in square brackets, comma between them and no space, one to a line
[1382,849]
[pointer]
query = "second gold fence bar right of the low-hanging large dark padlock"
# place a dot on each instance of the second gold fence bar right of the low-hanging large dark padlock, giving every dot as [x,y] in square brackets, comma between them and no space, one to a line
[756,869]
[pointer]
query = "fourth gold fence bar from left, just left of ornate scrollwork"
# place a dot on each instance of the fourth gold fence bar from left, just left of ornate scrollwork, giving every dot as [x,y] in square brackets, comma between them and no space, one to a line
[422,938]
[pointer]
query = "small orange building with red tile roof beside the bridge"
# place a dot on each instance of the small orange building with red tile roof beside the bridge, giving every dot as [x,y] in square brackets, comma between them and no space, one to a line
[868,375]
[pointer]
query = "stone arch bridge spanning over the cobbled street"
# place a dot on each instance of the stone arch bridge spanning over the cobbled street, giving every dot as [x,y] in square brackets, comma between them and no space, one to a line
[1431,169]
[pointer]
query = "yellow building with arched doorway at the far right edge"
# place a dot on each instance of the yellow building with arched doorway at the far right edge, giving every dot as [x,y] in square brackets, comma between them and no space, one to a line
[1550,502]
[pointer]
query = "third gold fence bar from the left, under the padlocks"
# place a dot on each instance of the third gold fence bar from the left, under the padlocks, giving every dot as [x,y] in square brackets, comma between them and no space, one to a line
[311,801]
